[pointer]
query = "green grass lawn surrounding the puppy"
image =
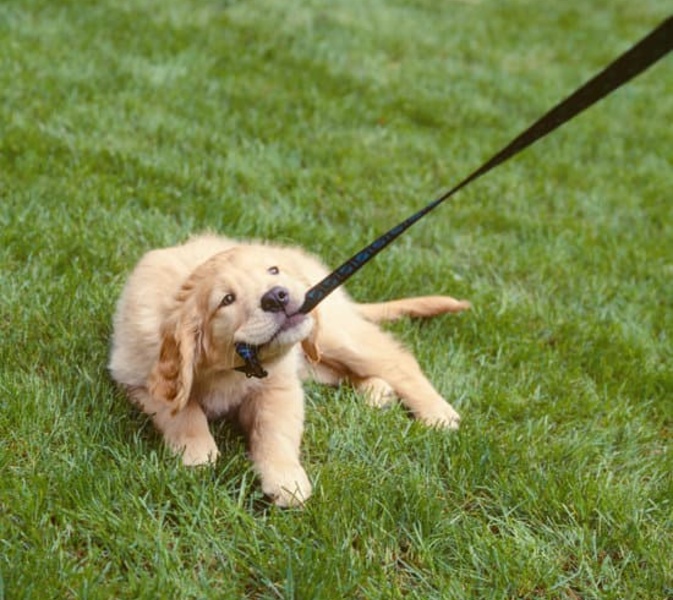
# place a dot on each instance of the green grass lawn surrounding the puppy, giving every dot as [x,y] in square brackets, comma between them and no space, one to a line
[130,124]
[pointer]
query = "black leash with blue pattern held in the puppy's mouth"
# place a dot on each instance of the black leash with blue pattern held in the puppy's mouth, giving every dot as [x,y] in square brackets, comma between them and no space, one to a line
[634,61]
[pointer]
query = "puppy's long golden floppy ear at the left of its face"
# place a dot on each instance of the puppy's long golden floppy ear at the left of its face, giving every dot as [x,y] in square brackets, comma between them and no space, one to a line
[172,375]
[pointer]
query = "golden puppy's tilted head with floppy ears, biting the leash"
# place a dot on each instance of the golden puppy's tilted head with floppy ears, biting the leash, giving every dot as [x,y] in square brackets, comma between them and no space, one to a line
[243,295]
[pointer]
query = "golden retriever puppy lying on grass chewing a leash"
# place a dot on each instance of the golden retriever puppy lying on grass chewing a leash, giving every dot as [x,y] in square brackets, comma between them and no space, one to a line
[183,310]
